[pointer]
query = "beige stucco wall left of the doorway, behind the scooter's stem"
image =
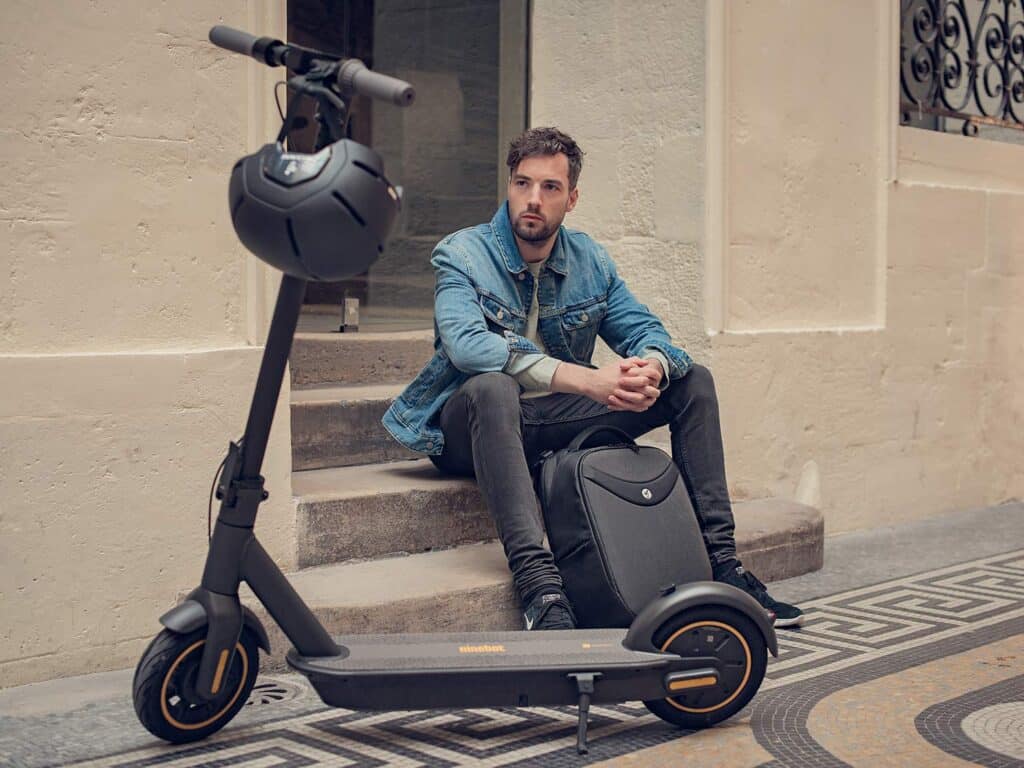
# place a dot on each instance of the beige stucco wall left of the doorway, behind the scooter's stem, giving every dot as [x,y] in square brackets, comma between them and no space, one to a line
[127,321]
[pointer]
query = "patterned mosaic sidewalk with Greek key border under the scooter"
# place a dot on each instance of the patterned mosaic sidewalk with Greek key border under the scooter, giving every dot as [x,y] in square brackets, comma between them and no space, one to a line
[924,670]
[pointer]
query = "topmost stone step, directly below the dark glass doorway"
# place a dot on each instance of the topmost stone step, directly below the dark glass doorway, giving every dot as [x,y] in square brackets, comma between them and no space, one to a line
[353,359]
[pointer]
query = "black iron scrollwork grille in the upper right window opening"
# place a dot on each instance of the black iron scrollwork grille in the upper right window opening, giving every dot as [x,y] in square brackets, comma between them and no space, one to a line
[963,60]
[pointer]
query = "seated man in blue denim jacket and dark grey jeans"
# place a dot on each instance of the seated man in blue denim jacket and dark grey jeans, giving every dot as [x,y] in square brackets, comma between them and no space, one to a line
[519,306]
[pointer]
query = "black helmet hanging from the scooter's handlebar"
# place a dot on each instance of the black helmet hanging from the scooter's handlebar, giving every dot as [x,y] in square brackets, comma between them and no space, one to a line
[319,218]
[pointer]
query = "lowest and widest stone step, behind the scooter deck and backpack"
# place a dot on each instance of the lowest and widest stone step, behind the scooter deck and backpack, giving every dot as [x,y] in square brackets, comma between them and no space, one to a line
[470,588]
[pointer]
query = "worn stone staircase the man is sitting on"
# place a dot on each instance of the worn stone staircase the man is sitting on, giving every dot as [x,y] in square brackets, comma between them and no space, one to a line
[387,544]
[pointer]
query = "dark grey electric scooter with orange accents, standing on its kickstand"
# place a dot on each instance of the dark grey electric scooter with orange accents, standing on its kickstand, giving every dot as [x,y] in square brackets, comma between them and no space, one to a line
[695,656]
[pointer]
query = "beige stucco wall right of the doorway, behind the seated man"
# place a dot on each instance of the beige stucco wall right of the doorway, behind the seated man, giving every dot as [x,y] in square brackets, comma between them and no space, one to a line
[858,289]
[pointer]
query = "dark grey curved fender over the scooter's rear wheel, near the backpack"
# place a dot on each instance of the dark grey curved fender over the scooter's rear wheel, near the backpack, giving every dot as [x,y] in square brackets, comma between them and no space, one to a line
[696,595]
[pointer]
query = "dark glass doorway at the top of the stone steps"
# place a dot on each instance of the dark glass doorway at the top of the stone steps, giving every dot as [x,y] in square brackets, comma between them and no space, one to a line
[467,60]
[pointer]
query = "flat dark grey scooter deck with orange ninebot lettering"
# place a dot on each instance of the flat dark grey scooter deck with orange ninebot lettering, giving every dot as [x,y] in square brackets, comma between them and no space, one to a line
[490,669]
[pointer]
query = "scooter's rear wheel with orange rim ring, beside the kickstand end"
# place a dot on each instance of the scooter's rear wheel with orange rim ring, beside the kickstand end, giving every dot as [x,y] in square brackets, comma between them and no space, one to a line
[737,642]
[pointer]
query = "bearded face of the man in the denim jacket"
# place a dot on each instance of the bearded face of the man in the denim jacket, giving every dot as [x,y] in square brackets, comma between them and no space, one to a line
[540,197]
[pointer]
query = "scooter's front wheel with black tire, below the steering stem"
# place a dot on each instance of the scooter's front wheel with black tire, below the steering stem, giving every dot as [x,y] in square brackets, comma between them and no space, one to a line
[164,687]
